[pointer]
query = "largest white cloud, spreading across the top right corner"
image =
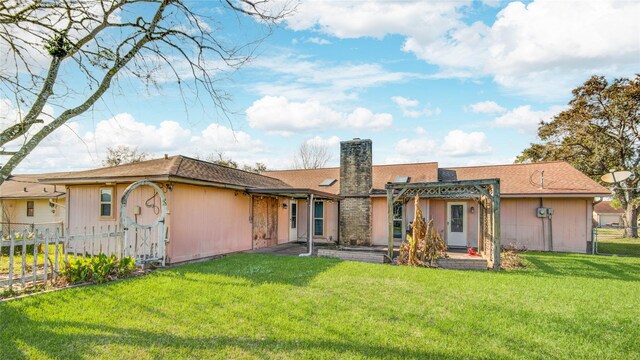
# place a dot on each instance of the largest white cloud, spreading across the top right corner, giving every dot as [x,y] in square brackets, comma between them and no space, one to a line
[542,48]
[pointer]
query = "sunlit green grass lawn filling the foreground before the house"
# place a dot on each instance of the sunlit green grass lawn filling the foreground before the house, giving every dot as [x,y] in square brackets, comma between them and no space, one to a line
[262,306]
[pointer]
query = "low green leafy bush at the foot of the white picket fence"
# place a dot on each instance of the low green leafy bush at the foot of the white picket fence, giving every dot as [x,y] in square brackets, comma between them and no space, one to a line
[97,269]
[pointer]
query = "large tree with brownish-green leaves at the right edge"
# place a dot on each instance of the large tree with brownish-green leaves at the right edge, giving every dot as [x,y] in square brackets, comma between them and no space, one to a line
[598,133]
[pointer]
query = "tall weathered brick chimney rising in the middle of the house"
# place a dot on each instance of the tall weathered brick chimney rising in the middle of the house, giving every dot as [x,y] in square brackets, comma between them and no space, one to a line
[355,185]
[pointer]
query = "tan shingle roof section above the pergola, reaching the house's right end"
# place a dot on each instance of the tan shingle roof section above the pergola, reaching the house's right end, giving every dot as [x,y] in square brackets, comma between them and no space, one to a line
[560,178]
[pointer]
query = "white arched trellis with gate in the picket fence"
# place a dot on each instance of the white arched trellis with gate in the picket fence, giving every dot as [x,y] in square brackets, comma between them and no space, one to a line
[144,242]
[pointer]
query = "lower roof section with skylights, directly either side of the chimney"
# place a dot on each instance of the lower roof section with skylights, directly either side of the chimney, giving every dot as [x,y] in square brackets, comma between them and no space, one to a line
[382,174]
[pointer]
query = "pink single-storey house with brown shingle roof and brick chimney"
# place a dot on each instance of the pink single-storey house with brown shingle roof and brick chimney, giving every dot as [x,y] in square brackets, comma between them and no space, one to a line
[215,210]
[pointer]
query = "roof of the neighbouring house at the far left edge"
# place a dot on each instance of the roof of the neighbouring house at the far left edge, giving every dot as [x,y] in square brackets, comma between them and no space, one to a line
[28,187]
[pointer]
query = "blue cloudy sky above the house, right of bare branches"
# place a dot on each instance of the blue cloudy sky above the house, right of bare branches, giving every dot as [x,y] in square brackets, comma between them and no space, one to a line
[461,83]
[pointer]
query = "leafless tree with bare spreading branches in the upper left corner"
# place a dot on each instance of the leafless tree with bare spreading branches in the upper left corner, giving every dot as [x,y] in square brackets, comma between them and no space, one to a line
[65,54]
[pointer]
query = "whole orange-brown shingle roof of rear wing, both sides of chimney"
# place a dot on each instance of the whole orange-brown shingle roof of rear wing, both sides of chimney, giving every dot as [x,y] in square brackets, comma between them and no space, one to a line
[560,178]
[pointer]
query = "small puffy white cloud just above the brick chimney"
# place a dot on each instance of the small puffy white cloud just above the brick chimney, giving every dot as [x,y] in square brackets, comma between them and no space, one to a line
[278,115]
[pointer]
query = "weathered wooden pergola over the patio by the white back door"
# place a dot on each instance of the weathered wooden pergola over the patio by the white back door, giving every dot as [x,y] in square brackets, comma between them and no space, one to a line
[485,192]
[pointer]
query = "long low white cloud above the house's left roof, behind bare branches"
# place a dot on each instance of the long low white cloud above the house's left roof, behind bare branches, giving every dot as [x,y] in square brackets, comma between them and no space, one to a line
[73,147]
